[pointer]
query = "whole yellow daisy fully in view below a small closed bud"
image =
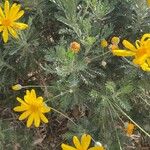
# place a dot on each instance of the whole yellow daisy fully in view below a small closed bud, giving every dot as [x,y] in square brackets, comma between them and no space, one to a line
[33,108]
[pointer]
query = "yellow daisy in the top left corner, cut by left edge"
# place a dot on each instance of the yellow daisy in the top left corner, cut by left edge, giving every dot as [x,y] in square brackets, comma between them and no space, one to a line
[8,19]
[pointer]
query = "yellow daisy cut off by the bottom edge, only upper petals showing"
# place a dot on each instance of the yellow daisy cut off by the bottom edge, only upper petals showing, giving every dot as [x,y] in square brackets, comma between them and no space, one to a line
[83,145]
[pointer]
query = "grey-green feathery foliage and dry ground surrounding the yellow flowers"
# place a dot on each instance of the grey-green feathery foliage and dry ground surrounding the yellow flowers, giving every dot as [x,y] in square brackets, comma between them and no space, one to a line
[98,98]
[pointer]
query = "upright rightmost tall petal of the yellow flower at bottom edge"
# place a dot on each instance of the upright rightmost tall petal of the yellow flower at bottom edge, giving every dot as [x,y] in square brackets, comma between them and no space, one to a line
[85,141]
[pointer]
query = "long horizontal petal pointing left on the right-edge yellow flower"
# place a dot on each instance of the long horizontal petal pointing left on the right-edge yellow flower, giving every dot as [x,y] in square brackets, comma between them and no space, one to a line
[121,52]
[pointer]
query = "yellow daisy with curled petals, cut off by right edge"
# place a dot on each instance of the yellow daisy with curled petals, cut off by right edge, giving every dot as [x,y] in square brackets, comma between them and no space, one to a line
[140,52]
